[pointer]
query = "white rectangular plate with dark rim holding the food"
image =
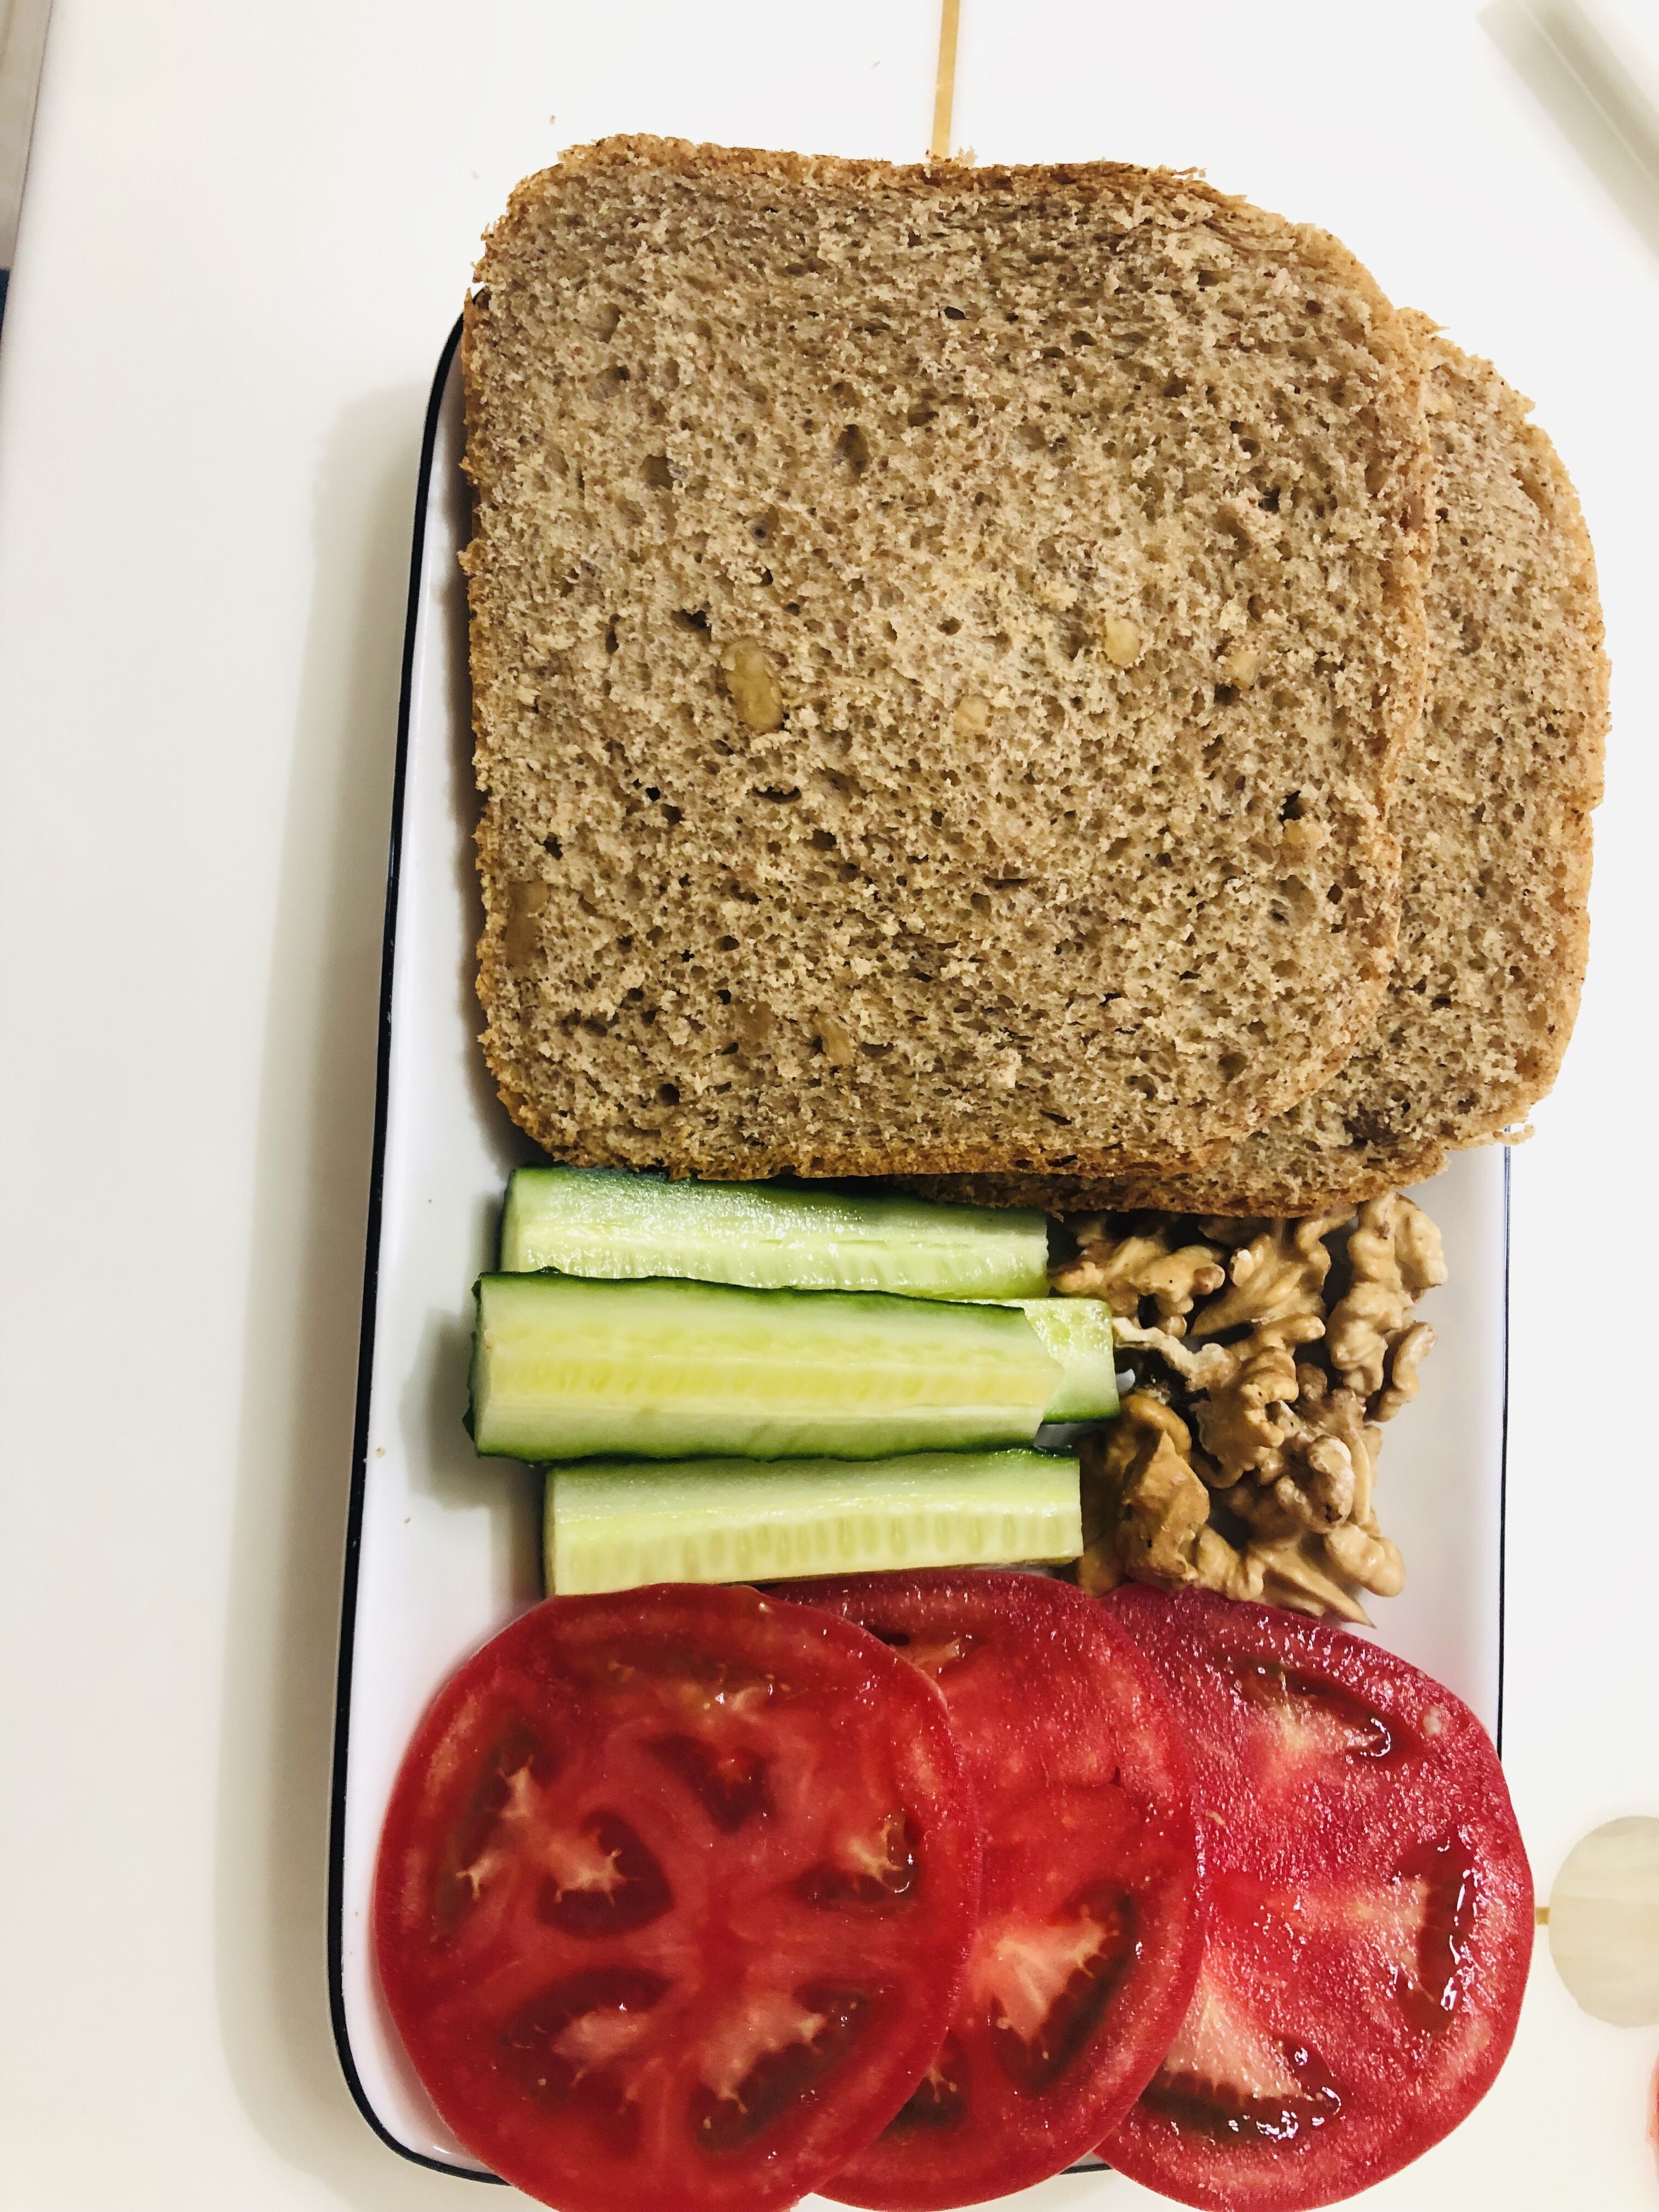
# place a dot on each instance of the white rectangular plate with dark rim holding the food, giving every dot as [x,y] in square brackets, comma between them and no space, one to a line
[444,1547]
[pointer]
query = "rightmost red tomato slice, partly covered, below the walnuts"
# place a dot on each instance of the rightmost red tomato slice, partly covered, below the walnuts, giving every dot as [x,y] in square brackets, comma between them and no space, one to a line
[1370,1917]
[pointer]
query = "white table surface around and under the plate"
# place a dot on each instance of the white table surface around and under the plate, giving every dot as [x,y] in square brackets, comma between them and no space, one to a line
[244,238]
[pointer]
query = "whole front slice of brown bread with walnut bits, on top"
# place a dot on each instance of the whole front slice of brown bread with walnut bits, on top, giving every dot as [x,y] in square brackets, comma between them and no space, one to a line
[941,651]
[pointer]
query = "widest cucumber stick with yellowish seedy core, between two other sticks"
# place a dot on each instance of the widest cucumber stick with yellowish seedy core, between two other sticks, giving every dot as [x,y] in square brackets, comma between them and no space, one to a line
[665,1370]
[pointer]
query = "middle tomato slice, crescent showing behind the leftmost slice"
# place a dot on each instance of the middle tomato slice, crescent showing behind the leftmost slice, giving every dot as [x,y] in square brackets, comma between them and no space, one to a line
[1089,1934]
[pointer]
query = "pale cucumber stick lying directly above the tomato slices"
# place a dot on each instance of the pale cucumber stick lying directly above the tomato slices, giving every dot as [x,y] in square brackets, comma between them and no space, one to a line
[623,1525]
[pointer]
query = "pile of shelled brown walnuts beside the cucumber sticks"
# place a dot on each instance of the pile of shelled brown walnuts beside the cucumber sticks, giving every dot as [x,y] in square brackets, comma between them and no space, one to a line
[1269,1357]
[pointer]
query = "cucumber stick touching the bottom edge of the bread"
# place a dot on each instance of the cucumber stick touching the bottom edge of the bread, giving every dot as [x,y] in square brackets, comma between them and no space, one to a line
[612,1224]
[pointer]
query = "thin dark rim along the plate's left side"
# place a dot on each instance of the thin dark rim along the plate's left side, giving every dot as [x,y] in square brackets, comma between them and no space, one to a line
[366,1333]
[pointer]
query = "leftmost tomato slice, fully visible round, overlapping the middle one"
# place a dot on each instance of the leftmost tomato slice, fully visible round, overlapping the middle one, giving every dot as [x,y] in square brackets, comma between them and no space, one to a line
[674,1899]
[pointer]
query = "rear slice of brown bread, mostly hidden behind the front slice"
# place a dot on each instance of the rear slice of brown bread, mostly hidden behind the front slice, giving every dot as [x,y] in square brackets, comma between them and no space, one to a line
[1494,820]
